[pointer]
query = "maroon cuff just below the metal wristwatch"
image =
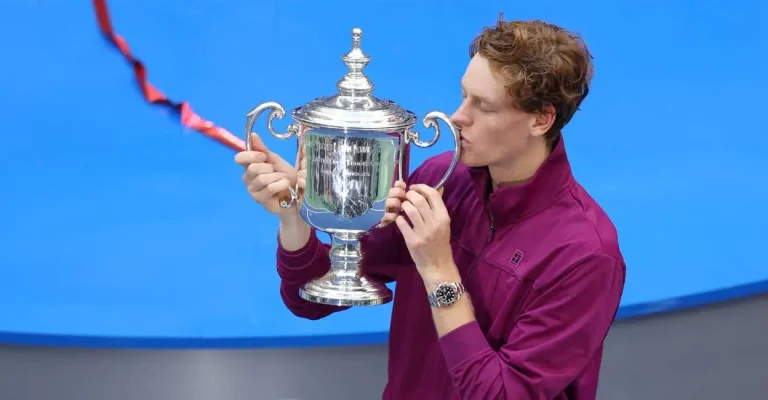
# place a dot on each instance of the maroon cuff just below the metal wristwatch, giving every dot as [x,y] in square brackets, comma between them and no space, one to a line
[463,344]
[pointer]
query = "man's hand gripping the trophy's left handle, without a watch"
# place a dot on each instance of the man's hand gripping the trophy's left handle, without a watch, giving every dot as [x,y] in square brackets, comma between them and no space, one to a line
[267,177]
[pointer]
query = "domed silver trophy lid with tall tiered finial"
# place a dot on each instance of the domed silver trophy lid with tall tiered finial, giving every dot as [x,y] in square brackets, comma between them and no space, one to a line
[354,107]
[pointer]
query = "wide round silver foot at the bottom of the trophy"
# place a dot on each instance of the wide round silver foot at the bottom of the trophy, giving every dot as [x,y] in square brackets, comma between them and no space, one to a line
[339,290]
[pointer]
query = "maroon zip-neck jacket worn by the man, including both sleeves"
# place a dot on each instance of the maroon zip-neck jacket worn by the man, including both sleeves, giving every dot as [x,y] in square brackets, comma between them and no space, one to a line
[542,265]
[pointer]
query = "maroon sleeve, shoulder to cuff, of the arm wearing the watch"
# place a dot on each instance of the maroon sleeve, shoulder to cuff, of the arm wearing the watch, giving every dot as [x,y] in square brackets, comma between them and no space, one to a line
[549,344]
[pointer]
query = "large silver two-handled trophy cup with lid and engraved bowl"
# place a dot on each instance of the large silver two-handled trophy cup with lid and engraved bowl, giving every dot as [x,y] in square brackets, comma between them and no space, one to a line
[355,147]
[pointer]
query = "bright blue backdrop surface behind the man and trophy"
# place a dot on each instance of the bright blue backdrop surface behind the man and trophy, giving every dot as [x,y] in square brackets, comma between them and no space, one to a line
[120,227]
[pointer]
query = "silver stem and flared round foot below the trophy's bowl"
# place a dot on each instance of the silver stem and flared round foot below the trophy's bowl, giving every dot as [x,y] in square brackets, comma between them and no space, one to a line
[346,284]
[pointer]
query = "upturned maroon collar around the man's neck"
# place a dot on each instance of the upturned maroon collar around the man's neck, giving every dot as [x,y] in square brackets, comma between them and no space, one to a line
[511,203]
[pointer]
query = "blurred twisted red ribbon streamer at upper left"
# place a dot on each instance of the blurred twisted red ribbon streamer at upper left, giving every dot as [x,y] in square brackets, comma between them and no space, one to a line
[188,117]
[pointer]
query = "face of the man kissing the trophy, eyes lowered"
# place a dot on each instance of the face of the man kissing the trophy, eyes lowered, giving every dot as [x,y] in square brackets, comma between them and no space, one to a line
[493,132]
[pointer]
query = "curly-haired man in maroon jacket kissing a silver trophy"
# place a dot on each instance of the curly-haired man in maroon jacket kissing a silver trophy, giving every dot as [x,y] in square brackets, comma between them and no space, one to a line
[508,281]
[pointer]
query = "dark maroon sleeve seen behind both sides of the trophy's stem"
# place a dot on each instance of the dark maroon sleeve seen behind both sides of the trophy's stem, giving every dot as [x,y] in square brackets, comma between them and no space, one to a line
[382,253]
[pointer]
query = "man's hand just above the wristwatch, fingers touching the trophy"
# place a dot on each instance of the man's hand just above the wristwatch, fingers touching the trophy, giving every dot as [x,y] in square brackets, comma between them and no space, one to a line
[428,237]
